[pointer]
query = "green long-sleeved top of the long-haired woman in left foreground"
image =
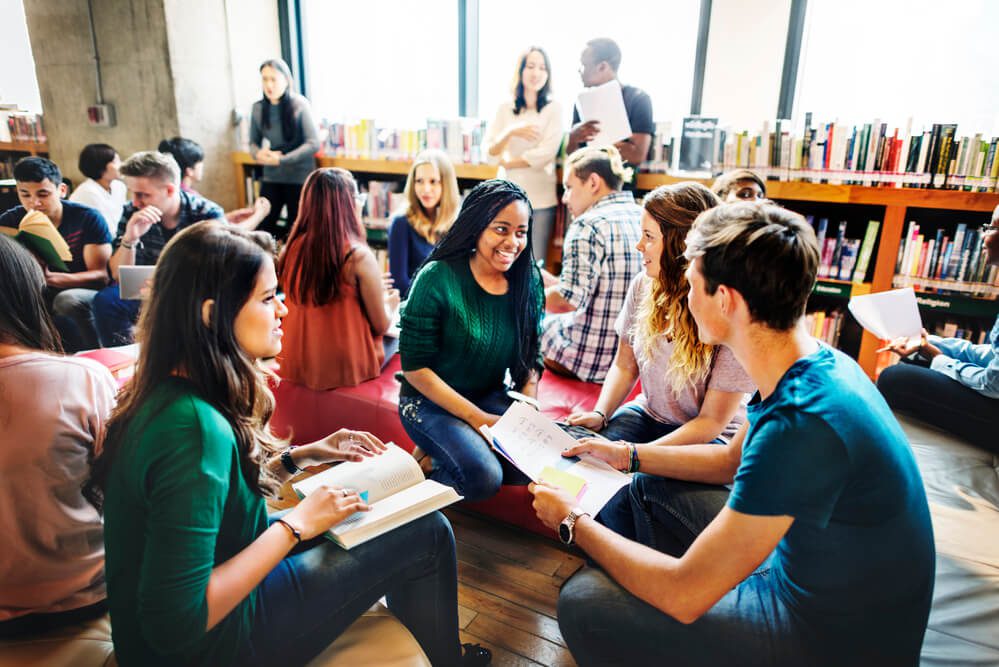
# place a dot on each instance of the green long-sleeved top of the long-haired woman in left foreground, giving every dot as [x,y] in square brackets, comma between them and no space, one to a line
[176,505]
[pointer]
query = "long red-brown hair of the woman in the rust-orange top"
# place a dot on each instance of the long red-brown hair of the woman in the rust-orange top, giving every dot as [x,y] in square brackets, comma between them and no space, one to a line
[326,227]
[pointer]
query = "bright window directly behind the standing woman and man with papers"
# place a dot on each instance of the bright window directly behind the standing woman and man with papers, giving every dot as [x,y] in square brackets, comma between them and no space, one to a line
[657,40]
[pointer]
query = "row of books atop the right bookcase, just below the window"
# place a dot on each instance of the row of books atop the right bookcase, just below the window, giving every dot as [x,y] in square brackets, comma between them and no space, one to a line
[866,154]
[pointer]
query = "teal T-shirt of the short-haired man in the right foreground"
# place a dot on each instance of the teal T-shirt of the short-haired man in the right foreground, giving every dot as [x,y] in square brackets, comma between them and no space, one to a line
[857,565]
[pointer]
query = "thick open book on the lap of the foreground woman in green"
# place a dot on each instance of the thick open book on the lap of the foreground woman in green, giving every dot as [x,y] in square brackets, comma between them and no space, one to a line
[391,483]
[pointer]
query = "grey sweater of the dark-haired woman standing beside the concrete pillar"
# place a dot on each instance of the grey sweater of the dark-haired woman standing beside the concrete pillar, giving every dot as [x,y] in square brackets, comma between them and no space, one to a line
[297,161]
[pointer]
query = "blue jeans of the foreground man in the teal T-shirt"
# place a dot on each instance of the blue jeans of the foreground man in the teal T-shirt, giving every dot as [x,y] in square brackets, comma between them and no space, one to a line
[603,624]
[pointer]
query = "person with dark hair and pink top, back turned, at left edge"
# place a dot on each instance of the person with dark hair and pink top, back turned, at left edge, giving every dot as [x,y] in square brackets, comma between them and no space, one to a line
[52,415]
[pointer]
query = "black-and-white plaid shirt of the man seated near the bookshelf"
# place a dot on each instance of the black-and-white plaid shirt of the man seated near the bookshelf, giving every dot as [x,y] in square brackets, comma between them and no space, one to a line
[599,260]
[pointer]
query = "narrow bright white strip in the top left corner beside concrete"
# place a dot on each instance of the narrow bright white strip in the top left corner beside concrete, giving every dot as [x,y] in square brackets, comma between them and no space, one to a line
[18,83]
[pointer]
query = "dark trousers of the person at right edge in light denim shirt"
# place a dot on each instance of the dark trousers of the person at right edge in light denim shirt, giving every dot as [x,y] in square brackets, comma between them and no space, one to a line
[943,402]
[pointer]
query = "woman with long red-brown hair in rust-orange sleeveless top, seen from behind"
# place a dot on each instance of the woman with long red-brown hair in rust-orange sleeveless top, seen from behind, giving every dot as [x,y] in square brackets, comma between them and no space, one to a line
[338,307]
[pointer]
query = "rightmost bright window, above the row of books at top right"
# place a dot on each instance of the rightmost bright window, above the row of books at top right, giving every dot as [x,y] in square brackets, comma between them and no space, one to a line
[936,62]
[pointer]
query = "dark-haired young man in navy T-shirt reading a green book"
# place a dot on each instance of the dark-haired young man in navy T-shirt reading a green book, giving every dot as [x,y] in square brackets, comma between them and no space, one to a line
[72,291]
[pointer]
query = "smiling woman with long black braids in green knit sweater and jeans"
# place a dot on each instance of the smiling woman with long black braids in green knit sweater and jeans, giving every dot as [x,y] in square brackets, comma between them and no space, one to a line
[472,315]
